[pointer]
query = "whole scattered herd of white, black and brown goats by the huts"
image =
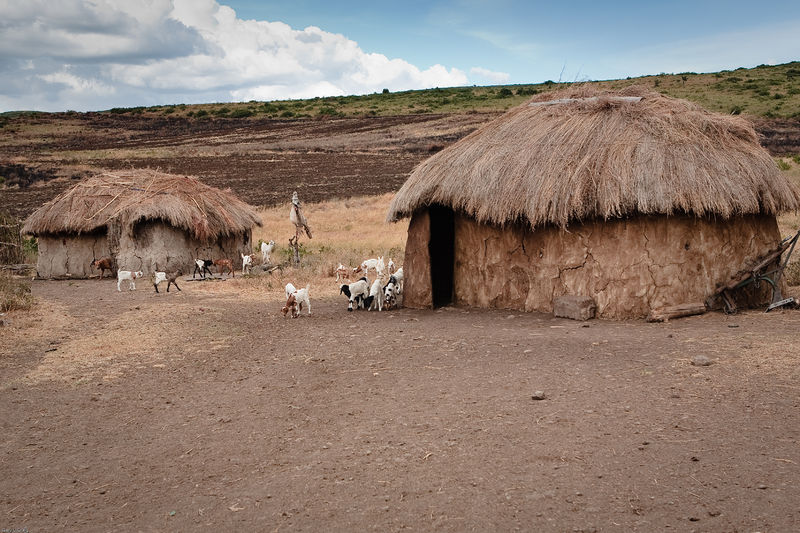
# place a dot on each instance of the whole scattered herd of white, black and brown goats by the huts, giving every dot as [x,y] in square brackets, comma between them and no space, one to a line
[361,294]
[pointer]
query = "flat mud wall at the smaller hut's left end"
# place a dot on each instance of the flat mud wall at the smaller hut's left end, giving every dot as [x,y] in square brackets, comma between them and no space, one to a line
[70,256]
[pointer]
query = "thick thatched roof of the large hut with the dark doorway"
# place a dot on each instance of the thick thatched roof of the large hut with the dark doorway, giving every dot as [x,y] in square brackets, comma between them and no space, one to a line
[581,153]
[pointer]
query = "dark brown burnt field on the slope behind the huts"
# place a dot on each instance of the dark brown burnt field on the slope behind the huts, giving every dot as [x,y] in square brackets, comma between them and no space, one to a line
[261,160]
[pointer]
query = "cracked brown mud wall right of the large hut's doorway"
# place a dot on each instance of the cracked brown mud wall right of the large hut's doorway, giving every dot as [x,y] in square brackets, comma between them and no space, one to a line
[627,266]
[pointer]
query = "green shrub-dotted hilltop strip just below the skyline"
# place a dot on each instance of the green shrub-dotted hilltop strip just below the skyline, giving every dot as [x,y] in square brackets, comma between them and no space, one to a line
[764,91]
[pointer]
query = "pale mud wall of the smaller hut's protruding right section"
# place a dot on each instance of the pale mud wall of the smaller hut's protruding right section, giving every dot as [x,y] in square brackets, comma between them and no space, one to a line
[154,246]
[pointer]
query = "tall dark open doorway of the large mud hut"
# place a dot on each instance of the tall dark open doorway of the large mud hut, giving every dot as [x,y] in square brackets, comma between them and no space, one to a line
[441,248]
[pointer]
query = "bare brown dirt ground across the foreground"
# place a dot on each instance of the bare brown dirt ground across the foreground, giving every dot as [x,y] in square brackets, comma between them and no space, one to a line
[137,411]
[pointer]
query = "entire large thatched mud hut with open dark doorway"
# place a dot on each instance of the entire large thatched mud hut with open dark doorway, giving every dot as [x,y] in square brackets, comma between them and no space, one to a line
[633,198]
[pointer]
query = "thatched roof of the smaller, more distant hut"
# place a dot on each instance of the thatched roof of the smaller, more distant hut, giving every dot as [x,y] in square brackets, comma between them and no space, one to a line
[128,197]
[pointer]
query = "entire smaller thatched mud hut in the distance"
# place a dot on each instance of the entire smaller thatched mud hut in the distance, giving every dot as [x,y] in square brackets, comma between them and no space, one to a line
[143,219]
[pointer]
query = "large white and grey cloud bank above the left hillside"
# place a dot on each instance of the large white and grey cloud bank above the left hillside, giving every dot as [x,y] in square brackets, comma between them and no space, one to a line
[95,54]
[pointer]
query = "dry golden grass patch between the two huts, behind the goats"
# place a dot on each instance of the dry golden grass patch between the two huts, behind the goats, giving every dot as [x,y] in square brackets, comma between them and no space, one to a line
[346,231]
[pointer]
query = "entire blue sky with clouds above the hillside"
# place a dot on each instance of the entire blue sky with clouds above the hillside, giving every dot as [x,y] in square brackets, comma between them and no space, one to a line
[97,54]
